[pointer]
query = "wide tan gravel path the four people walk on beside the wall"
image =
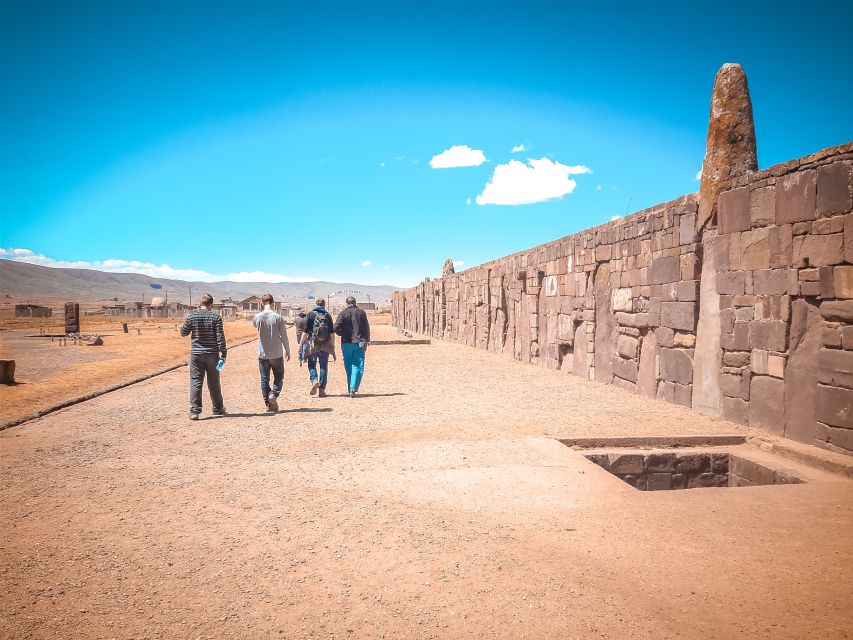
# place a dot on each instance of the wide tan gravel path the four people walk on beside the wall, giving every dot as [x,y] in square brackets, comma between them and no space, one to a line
[437,505]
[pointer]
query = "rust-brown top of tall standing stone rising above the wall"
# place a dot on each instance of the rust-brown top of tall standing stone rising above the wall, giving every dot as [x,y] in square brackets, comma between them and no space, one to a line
[730,145]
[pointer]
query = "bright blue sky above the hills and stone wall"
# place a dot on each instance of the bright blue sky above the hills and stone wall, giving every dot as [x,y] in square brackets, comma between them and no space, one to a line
[276,140]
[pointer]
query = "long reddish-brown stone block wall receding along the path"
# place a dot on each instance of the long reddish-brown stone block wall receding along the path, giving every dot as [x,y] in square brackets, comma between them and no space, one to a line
[766,286]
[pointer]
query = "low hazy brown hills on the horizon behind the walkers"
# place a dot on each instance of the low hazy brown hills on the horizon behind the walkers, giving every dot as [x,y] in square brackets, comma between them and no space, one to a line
[34,282]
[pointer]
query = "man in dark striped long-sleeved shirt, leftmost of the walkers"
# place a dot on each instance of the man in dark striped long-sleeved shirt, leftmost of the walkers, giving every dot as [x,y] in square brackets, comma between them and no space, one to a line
[208,346]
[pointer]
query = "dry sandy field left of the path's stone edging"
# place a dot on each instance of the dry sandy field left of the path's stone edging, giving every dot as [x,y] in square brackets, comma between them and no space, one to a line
[48,373]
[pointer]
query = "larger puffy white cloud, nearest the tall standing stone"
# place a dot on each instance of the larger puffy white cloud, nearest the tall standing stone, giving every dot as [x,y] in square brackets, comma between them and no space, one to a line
[538,180]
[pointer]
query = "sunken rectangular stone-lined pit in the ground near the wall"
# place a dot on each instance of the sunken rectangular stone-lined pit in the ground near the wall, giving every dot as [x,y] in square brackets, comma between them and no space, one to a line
[670,470]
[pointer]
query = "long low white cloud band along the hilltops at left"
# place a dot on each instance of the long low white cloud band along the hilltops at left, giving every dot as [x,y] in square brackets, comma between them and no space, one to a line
[114,265]
